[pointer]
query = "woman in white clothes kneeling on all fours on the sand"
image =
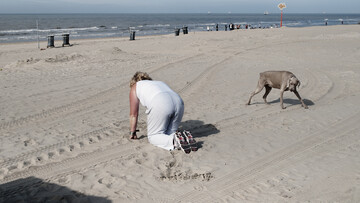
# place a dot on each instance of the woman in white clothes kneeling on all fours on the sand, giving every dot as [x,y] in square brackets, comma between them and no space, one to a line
[164,109]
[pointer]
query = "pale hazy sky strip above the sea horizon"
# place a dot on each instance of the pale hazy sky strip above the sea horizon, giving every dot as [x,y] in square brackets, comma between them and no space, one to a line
[178,6]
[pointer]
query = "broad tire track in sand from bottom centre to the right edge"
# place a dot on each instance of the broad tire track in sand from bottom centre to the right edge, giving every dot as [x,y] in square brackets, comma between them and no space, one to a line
[339,135]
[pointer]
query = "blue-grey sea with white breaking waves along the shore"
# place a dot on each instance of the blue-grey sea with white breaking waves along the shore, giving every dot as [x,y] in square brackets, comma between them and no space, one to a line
[34,27]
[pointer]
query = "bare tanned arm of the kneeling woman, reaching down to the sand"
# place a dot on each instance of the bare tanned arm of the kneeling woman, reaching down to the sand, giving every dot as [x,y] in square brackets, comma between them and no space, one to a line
[134,111]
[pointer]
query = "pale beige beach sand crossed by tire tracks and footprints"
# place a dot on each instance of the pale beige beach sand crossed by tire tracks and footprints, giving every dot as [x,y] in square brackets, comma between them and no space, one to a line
[64,119]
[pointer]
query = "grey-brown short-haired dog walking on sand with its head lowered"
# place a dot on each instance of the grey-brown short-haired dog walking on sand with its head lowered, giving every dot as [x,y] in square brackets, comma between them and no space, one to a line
[283,80]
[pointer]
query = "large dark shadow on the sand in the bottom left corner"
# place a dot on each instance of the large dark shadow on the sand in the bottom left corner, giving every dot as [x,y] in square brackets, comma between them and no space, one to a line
[33,189]
